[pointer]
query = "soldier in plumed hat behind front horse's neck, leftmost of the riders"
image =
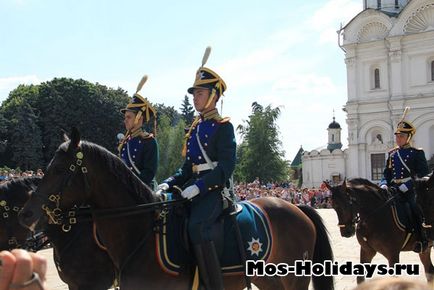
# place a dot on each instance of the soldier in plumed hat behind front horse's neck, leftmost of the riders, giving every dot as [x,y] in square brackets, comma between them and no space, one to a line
[138,148]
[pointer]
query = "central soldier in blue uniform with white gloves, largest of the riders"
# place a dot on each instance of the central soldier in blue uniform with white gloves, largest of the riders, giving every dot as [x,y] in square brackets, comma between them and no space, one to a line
[209,152]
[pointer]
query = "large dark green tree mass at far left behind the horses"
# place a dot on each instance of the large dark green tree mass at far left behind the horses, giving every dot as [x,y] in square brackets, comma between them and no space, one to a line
[61,104]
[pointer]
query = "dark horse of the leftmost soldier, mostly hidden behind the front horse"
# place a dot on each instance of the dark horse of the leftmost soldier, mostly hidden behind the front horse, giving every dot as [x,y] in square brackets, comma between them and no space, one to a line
[80,262]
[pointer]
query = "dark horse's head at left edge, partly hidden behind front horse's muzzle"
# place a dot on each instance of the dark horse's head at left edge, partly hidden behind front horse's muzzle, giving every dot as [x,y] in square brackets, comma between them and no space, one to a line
[13,195]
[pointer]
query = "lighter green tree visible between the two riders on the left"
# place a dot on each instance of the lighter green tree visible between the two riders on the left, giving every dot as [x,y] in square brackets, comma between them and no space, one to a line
[170,140]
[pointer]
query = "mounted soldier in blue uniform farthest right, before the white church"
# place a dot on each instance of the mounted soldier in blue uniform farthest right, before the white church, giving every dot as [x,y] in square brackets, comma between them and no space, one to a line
[404,162]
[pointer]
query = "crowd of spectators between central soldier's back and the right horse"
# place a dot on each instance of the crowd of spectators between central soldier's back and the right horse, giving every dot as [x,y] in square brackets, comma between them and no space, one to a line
[315,197]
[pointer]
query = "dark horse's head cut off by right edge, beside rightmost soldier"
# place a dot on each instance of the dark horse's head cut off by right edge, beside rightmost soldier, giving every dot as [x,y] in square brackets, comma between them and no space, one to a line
[424,188]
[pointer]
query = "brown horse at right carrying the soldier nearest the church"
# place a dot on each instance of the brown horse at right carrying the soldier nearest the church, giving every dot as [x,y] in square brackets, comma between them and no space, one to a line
[362,208]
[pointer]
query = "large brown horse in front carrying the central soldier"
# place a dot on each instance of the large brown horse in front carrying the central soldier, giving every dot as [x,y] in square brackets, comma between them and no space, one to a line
[106,183]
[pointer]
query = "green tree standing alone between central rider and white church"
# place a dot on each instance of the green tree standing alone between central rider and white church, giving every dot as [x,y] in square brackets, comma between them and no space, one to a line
[261,154]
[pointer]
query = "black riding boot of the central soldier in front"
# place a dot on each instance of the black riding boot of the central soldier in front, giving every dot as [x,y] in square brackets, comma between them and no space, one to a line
[209,266]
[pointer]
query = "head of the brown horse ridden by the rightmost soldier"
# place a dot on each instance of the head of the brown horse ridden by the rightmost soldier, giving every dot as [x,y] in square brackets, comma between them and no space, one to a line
[344,206]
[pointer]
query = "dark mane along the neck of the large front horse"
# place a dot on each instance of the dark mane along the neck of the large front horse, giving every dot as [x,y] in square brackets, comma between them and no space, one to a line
[137,189]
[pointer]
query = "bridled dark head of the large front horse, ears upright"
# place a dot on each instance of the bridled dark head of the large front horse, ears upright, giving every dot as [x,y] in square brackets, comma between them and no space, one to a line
[62,185]
